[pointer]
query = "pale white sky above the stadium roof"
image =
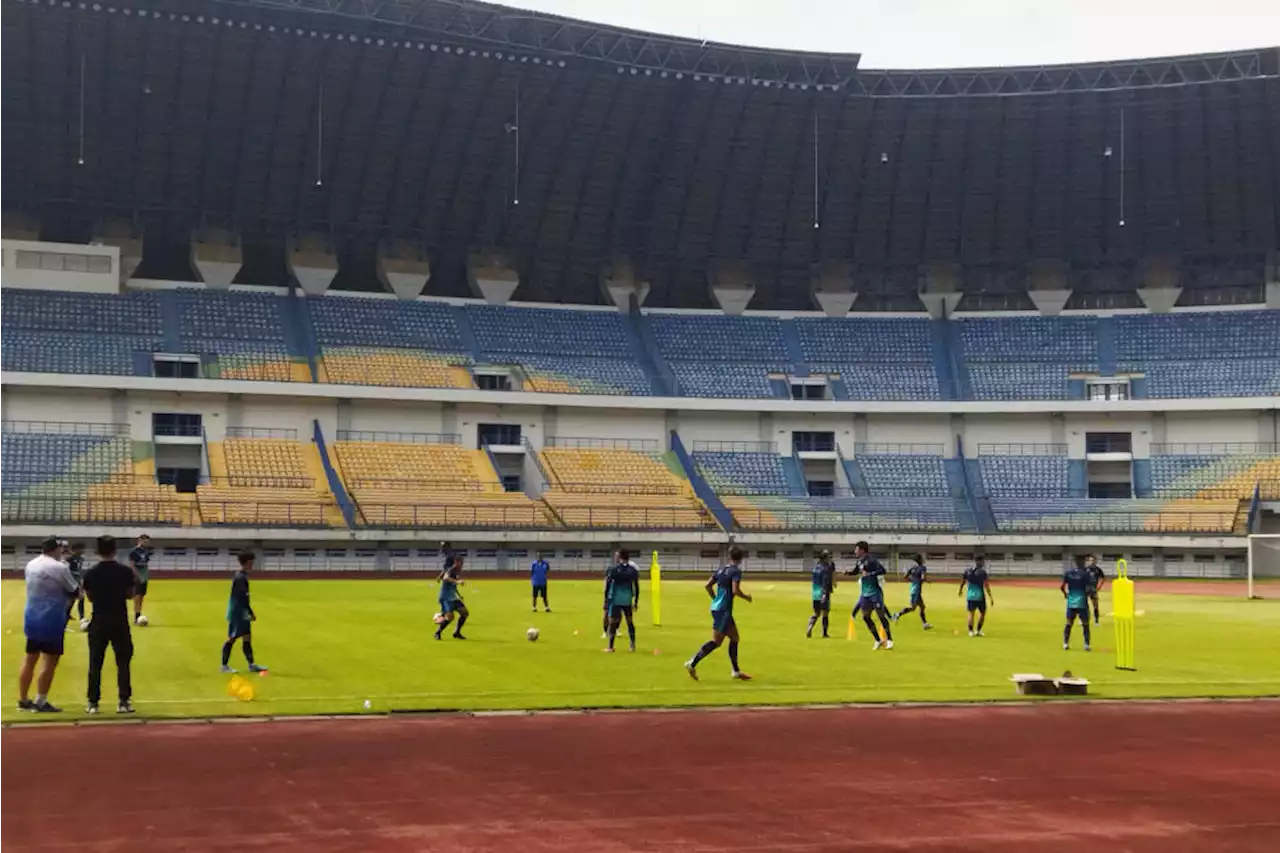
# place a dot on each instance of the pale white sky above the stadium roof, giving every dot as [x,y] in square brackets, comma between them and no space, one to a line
[952,34]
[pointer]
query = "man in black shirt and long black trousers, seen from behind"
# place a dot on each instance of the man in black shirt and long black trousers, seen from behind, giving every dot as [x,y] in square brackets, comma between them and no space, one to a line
[109,586]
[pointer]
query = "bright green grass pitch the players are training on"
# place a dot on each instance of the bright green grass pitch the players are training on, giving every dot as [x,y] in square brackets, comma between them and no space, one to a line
[332,645]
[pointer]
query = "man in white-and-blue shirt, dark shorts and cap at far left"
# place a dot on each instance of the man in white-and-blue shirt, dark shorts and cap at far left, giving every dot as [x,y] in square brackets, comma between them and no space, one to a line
[51,590]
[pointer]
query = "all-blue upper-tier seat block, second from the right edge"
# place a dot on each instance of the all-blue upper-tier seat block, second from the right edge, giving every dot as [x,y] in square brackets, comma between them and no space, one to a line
[1027,358]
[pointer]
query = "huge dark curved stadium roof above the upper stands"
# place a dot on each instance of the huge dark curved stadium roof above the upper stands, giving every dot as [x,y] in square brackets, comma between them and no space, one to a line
[446,127]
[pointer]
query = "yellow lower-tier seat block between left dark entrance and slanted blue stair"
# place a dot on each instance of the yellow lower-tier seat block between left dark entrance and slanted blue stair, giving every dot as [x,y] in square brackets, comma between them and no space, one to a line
[267,478]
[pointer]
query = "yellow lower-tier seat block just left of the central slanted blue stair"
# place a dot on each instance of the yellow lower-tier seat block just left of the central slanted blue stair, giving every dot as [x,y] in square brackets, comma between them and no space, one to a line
[600,483]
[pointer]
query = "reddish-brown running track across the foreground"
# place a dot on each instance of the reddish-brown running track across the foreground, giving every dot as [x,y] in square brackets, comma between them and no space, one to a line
[1136,778]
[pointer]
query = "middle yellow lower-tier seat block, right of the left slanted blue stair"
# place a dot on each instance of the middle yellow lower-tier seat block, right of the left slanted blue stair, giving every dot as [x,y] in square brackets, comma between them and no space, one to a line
[424,481]
